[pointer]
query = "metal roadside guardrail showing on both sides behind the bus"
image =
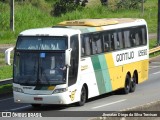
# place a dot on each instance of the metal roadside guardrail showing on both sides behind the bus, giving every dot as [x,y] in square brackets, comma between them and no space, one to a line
[9,81]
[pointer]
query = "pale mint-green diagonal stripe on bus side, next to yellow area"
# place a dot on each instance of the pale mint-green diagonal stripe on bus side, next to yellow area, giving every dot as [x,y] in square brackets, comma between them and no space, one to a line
[105,73]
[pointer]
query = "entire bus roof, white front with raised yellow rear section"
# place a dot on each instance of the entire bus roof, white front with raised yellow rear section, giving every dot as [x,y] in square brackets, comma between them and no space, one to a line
[84,26]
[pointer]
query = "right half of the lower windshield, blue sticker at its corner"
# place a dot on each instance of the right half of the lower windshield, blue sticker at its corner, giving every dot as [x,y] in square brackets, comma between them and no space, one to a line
[52,68]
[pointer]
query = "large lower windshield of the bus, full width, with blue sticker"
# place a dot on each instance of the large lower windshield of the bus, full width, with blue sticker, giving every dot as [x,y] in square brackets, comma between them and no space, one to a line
[39,68]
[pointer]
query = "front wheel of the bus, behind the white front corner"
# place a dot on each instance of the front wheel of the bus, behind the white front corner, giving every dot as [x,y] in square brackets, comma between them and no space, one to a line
[83,97]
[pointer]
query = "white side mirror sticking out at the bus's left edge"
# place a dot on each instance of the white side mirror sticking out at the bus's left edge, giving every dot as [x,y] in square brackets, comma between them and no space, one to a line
[8,55]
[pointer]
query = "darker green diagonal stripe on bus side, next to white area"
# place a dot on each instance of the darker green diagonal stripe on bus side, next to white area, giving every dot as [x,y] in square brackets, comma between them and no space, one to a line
[98,74]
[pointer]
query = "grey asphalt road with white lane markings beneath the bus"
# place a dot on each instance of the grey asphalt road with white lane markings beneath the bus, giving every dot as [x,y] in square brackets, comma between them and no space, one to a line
[145,93]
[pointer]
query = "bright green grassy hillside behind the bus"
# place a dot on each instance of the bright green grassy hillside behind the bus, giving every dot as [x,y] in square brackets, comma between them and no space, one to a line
[37,14]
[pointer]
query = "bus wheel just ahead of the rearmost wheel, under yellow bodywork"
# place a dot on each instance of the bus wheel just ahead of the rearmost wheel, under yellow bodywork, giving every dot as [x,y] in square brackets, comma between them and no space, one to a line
[127,86]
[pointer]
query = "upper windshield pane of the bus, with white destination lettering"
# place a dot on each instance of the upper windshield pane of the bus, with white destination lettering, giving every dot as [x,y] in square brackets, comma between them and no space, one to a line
[41,43]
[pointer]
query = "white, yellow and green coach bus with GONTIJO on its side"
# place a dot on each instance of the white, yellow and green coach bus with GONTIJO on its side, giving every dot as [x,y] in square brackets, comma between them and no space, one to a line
[80,59]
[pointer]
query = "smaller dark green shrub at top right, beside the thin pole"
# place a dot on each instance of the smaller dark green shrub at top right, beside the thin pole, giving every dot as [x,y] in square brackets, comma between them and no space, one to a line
[129,4]
